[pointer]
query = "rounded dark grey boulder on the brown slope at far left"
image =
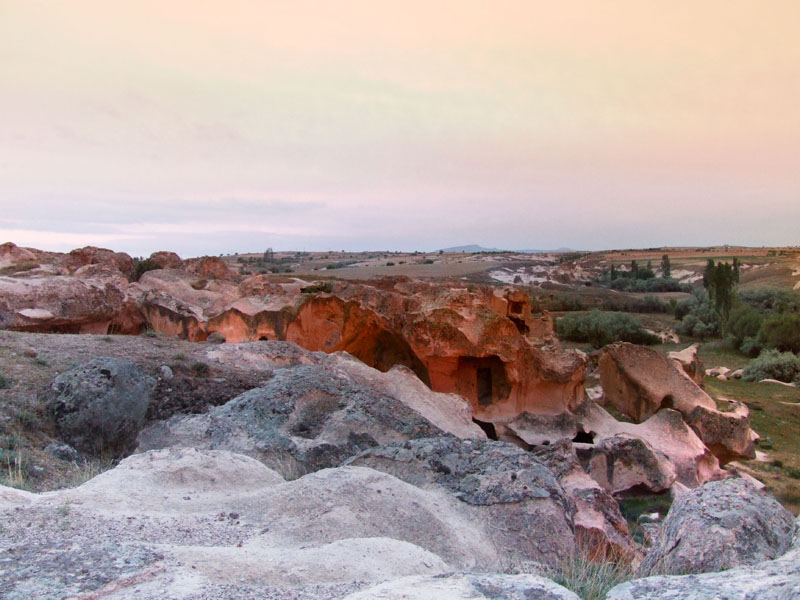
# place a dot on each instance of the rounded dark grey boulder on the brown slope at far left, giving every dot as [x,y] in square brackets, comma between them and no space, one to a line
[100,406]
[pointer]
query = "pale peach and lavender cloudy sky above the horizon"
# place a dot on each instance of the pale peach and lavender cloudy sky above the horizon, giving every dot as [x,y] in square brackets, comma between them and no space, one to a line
[207,127]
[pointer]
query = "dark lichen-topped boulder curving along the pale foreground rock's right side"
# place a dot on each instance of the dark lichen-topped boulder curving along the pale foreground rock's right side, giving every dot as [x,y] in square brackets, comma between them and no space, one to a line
[529,513]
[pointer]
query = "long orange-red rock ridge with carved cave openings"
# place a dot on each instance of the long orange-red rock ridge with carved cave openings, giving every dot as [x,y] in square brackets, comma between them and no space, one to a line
[482,344]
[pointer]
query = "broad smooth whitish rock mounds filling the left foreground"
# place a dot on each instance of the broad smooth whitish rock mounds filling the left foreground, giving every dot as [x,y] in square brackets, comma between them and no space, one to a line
[182,523]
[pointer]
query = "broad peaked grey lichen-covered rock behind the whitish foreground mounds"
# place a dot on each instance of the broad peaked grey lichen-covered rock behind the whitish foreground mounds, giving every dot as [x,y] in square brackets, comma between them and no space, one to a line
[305,418]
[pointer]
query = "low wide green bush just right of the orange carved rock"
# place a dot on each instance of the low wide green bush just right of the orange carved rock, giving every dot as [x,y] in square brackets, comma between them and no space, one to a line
[600,328]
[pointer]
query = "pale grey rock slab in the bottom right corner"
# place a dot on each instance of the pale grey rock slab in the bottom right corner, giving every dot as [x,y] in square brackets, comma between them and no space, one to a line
[769,580]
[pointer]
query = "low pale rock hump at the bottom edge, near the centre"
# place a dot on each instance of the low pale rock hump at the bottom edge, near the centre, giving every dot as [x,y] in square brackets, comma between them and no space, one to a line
[468,586]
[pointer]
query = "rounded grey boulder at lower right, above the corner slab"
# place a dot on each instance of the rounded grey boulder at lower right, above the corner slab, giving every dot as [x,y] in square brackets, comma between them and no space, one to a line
[720,525]
